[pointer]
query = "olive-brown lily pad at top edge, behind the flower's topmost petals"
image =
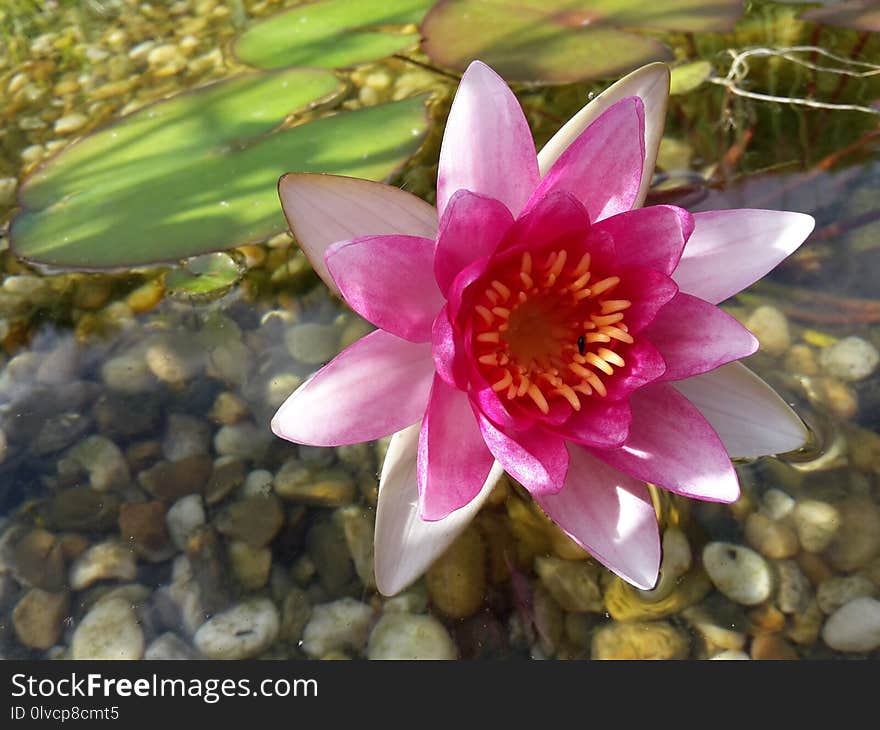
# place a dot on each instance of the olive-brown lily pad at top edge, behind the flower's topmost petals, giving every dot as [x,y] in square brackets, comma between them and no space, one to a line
[562,41]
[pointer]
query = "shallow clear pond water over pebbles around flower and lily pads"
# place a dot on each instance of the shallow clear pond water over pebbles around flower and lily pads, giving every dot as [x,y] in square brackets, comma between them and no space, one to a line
[141,487]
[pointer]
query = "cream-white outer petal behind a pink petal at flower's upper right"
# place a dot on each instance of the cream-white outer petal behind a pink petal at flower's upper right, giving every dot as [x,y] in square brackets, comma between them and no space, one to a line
[651,84]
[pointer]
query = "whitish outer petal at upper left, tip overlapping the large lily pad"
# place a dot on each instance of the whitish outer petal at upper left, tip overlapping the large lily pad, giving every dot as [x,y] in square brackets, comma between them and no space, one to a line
[322,209]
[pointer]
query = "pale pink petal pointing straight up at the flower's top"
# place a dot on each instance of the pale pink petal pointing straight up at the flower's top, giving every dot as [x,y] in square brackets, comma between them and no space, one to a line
[487,146]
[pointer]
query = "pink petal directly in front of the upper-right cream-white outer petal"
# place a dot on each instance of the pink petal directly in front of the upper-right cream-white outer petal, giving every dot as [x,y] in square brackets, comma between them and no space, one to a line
[602,168]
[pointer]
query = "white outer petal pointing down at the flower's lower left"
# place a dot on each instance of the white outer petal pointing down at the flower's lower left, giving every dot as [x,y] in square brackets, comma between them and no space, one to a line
[406,545]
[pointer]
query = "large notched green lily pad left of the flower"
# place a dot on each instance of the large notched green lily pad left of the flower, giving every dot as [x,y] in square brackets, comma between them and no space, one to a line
[198,172]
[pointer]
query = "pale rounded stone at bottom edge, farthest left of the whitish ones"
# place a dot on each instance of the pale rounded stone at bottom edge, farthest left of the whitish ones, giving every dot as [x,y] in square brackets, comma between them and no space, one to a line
[110,630]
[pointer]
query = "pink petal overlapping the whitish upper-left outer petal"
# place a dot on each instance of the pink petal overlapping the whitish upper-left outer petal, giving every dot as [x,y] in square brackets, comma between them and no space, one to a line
[389,281]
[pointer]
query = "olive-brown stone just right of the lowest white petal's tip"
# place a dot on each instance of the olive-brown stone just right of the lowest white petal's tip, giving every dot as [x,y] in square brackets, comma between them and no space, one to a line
[456,580]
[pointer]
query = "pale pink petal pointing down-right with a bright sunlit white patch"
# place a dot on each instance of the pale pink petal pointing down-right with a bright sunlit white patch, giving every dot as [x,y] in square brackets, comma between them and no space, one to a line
[610,515]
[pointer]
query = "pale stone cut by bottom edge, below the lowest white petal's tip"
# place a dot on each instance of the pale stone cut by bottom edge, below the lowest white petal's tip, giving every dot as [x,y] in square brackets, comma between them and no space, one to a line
[408,636]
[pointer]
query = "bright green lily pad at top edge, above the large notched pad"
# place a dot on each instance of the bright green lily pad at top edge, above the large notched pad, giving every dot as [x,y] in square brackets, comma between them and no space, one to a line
[331,33]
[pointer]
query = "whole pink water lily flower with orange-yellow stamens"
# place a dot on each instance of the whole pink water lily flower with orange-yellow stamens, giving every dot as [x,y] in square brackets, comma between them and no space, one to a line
[539,321]
